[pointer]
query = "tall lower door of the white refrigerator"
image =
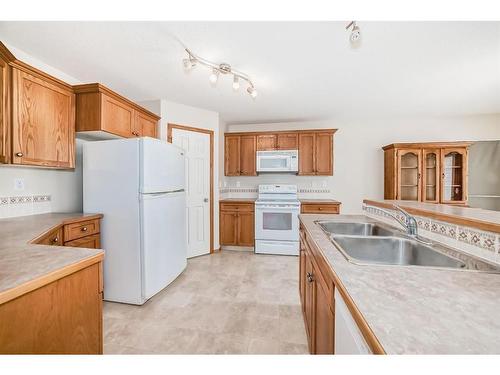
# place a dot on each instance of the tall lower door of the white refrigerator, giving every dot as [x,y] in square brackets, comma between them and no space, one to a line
[164,240]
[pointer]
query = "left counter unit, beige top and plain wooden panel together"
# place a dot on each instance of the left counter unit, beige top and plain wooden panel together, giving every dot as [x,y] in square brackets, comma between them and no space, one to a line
[50,296]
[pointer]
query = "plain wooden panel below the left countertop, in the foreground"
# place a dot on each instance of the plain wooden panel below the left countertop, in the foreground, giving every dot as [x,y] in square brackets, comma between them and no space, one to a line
[62,317]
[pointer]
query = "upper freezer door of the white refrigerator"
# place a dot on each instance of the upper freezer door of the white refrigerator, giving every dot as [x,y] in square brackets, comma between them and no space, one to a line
[162,166]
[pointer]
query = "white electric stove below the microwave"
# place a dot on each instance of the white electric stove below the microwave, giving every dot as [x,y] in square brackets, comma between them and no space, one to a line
[277,220]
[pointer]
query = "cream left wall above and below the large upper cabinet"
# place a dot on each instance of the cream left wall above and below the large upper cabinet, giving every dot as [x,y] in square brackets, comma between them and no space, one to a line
[64,186]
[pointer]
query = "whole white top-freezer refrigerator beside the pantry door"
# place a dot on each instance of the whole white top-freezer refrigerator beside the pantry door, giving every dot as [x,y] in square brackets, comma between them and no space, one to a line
[138,185]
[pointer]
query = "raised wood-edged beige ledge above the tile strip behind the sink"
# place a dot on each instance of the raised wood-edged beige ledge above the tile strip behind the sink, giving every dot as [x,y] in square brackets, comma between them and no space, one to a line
[474,217]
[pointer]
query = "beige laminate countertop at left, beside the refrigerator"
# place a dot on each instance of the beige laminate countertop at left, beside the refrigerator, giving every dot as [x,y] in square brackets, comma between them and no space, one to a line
[23,264]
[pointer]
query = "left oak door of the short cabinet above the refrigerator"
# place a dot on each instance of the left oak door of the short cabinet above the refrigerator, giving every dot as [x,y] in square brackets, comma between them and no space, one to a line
[117,117]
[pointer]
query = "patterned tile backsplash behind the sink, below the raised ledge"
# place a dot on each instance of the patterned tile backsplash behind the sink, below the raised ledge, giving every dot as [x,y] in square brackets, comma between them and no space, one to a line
[482,244]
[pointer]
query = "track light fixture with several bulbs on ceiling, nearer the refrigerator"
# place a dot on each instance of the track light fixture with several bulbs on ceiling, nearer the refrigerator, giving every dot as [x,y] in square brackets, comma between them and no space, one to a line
[217,69]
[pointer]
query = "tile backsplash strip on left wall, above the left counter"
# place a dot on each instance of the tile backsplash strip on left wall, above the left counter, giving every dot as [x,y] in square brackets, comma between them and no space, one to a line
[22,205]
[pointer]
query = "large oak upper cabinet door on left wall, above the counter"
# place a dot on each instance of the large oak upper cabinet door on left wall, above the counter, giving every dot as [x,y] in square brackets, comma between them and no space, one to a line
[43,126]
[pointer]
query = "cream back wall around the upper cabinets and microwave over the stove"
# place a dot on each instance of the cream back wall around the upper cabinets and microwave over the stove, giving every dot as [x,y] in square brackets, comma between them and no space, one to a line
[358,157]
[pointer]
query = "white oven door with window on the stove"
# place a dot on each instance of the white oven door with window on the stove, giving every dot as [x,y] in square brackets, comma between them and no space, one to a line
[277,223]
